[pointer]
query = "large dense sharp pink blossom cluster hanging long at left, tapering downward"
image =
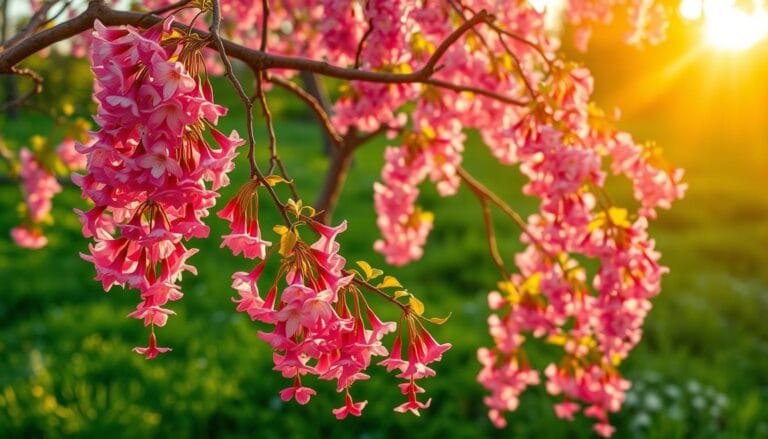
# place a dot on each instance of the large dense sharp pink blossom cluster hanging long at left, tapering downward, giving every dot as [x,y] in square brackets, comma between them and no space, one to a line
[148,165]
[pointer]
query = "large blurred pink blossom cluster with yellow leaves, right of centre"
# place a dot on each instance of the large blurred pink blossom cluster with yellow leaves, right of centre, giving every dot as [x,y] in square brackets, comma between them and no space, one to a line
[597,321]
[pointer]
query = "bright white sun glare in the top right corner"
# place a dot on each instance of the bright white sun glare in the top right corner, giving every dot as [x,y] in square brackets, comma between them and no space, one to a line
[727,26]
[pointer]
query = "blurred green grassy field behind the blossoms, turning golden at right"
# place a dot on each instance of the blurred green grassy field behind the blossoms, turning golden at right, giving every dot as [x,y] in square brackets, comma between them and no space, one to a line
[66,366]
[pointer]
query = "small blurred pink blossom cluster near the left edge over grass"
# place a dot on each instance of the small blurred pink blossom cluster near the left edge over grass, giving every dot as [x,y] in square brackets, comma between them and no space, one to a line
[39,187]
